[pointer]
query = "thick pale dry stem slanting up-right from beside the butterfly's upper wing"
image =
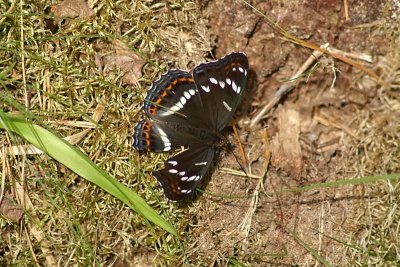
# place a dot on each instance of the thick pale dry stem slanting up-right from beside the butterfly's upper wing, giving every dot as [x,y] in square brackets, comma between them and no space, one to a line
[288,86]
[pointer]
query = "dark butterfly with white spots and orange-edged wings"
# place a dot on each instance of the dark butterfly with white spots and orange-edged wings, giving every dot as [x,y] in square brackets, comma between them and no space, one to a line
[190,110]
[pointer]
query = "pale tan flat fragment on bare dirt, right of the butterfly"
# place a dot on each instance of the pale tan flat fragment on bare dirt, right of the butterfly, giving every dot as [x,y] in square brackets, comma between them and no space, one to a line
[285,147]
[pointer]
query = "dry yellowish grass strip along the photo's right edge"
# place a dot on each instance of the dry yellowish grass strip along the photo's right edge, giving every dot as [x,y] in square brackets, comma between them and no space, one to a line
[376,229]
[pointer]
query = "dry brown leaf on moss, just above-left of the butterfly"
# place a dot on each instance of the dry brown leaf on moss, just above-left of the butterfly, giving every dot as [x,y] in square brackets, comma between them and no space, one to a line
[125,59]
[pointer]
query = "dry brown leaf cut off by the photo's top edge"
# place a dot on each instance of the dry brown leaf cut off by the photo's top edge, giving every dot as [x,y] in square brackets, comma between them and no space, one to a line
[72,9]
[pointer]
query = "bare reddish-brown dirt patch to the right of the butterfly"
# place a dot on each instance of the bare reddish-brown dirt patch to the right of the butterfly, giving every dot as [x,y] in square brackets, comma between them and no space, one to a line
[307,136]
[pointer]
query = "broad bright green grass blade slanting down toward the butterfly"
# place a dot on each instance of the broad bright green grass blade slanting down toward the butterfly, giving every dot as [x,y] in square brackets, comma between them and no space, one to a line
[78,162]
